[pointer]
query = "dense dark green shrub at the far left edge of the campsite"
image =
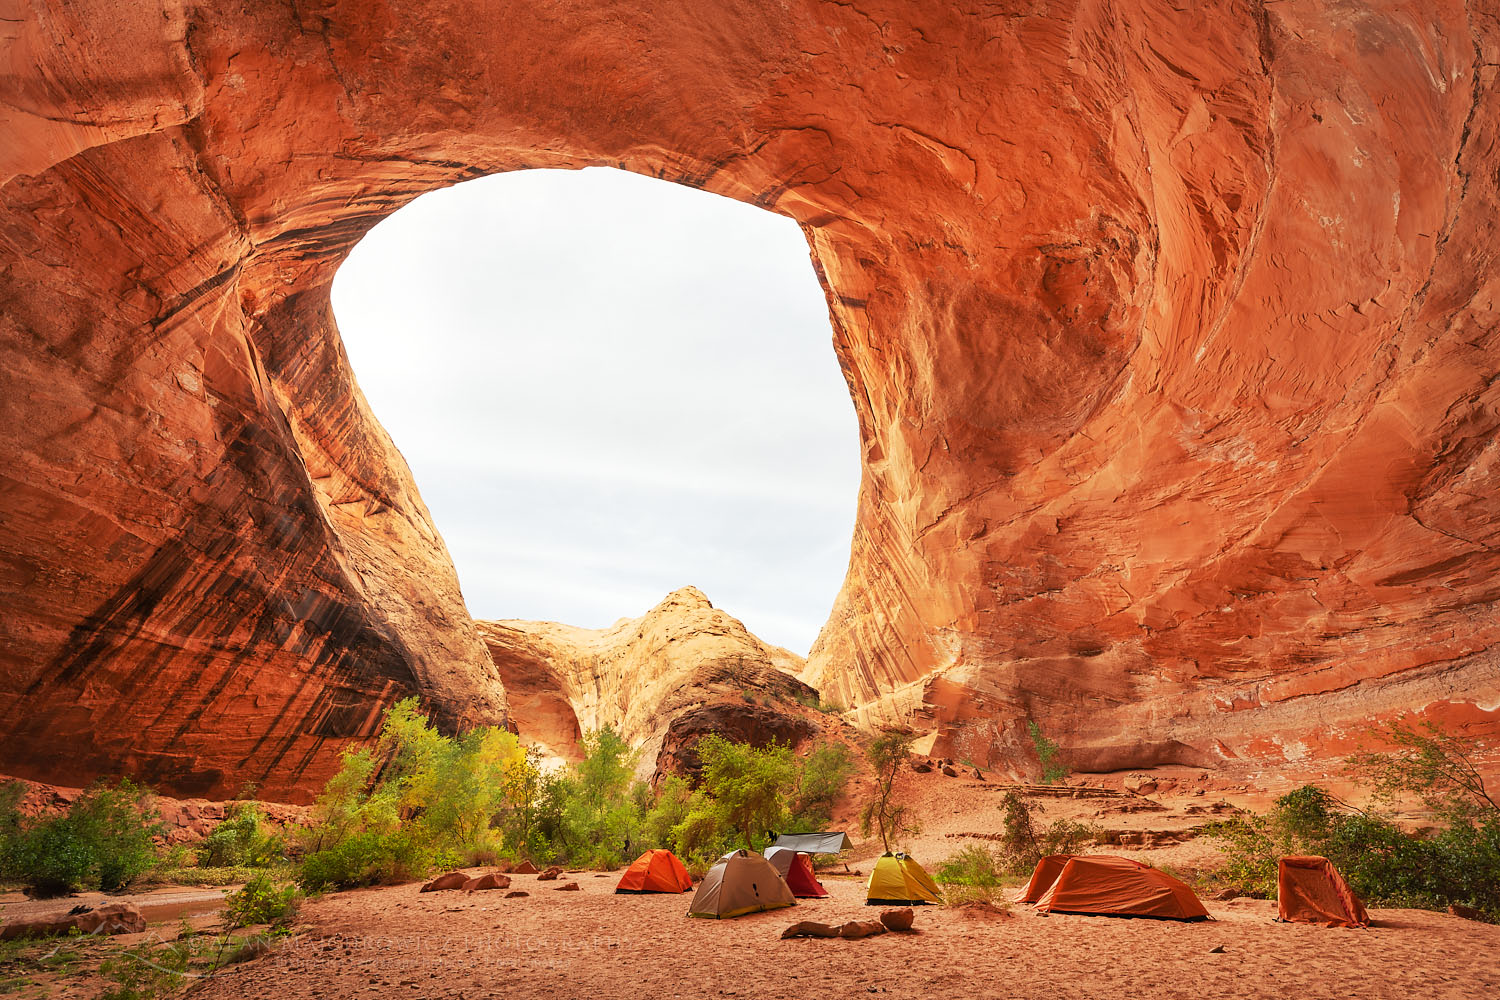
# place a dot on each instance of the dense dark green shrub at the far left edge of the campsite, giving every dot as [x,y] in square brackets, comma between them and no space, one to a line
[104,842]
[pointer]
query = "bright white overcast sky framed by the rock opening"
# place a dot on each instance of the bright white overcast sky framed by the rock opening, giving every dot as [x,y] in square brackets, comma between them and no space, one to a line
[610,388]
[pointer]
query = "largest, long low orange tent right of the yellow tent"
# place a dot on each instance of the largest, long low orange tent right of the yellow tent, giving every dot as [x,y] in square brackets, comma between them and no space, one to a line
[1118,887]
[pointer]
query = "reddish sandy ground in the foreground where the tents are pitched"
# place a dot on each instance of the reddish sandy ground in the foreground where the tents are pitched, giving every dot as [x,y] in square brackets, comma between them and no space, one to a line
[595,944]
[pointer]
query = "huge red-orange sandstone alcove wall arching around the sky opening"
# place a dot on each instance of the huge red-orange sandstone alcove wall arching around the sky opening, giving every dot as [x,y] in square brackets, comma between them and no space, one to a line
[1172,335]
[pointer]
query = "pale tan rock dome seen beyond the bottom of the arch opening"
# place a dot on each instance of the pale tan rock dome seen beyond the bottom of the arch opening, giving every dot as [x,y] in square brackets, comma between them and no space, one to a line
[665,680]
